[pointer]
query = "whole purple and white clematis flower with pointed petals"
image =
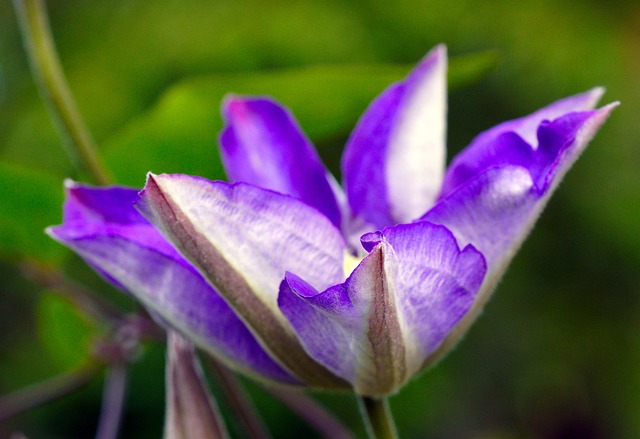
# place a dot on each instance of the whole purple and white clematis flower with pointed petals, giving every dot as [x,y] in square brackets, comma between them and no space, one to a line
[288,277]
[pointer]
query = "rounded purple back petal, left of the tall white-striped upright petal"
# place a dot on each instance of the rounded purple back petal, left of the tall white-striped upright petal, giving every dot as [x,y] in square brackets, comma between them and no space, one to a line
[262,144]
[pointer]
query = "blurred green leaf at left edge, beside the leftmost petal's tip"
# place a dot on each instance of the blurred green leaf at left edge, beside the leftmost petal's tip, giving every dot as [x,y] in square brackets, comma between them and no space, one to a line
[30,202]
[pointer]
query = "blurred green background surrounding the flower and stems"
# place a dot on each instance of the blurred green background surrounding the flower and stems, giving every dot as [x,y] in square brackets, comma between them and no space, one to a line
[556,354]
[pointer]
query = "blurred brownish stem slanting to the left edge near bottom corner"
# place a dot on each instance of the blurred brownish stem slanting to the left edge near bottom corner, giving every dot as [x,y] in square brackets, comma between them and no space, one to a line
[41,393]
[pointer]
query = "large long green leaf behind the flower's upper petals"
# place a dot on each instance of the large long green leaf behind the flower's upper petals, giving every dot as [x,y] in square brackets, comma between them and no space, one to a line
[179,134]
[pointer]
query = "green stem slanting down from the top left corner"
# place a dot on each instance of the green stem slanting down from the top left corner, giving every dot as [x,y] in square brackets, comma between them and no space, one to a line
[46,68]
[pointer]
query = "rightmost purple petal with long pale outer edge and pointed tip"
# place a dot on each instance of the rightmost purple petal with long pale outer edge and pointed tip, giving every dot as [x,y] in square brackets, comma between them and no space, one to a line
[496,209]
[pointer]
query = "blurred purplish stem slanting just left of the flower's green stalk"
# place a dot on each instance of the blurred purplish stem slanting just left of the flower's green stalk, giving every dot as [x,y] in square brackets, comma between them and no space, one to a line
[323,421]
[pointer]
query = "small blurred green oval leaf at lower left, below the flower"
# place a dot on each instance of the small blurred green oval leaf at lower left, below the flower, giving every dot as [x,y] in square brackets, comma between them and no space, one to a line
[63,332]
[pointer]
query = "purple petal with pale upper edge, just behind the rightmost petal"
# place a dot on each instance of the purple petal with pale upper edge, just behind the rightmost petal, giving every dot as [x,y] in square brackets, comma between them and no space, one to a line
[516,142]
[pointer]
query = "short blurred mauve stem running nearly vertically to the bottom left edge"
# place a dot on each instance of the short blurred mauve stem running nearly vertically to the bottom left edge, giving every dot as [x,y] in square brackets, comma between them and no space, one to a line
[115,386]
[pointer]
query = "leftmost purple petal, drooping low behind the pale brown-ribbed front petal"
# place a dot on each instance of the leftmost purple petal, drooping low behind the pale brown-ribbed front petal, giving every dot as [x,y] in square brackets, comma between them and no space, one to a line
[103,227]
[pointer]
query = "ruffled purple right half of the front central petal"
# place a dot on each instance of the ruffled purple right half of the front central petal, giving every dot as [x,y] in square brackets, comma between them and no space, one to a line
[435,283]
